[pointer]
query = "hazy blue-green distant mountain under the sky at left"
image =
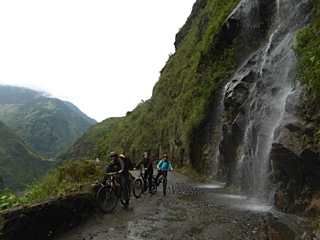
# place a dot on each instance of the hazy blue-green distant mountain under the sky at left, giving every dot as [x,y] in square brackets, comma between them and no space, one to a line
[48,125]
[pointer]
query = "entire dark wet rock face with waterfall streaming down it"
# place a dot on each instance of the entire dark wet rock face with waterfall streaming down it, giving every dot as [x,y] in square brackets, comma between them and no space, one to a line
[267,140]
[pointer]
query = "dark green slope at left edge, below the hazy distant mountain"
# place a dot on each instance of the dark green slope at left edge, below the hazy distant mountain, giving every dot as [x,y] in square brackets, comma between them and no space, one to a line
[19,164]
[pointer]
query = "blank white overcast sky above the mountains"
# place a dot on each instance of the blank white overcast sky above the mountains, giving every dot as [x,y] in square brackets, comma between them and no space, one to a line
[103,56]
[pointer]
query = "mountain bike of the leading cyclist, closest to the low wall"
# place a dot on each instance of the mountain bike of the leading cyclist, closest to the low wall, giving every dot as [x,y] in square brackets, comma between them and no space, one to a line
[109,193]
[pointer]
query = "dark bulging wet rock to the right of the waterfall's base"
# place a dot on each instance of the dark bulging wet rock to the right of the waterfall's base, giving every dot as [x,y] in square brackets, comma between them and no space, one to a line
[296,160]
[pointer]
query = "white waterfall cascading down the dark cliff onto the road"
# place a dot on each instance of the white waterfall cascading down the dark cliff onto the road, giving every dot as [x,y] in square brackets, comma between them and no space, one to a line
[258,93]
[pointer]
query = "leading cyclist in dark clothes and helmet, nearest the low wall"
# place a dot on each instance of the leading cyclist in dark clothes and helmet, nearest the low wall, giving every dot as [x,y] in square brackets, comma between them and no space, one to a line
[117,165]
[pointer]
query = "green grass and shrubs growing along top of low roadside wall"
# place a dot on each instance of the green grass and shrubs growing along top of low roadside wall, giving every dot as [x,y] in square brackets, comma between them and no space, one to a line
[73,176]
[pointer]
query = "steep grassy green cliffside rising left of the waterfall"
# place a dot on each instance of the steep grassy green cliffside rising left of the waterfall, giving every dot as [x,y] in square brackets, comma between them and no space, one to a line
[169,122]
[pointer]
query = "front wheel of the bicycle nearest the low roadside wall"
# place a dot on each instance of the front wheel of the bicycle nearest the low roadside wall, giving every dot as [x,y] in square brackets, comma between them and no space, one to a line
[107,199]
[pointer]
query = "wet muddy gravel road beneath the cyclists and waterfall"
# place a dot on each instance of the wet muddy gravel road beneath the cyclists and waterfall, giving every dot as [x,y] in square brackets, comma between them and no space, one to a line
[191,210]
